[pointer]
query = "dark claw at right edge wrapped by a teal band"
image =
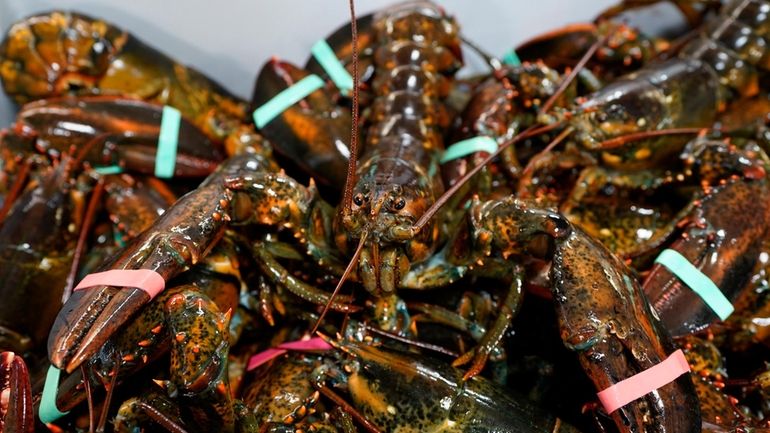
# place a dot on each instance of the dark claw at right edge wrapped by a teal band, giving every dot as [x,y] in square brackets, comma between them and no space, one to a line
[723,240]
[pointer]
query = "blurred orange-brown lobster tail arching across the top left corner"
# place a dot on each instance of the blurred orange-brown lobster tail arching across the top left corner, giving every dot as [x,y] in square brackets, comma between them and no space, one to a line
[64,53]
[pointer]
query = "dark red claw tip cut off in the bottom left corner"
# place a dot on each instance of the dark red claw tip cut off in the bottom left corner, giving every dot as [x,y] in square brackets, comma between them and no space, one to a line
[16,412]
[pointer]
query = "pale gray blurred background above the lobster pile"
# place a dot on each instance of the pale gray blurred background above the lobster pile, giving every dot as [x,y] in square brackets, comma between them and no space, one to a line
[230,40]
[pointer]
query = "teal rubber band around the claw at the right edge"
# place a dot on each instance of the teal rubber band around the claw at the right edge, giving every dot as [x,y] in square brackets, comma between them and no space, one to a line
[697,281]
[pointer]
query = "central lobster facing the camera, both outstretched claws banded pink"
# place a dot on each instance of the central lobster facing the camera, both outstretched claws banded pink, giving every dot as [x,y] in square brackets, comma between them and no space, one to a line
[249,189]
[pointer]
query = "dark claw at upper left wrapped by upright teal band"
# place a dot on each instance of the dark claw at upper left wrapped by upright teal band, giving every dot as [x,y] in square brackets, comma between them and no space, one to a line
[59,123]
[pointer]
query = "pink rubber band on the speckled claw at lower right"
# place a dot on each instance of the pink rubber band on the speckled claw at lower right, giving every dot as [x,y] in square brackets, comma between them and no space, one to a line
[628,390]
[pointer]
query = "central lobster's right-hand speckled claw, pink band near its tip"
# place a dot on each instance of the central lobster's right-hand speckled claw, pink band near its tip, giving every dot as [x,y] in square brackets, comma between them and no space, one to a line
[603,314]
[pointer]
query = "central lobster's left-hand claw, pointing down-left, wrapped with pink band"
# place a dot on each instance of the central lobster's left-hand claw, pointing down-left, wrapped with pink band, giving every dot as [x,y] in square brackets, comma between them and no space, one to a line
[177,240]
